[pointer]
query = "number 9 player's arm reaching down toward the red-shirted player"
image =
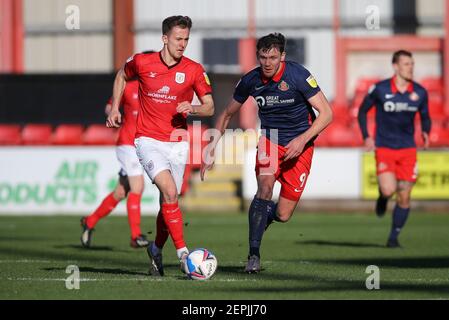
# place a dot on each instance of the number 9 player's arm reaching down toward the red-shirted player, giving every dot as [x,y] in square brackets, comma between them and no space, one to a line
[222,123]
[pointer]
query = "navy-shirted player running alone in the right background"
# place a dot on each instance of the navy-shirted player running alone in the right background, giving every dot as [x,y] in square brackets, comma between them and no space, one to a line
[397,101]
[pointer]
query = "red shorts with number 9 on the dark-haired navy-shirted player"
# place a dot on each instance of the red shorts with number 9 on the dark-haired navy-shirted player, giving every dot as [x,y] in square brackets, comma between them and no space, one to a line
[291,174]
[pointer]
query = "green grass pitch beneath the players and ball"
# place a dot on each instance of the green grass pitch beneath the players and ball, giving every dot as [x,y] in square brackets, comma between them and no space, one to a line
[313,256]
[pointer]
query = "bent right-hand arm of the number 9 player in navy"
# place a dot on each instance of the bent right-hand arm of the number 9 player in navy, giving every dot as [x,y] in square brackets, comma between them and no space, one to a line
[320,103]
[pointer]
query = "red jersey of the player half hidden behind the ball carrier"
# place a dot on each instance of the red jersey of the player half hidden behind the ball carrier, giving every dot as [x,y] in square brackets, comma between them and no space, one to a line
[130,104]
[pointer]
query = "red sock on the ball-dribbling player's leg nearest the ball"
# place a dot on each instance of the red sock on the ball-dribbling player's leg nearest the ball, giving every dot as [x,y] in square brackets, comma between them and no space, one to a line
[173,220]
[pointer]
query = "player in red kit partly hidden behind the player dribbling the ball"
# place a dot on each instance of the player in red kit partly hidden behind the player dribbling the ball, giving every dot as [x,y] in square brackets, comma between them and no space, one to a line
[131,181]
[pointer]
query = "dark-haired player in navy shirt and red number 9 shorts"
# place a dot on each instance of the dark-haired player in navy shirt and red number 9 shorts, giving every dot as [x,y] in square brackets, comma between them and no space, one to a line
[286,94]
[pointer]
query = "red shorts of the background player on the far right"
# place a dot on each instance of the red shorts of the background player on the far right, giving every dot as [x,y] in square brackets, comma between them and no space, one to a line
[401,162]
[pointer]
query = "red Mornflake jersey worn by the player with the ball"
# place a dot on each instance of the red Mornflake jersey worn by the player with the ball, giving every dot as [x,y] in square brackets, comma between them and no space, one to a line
[161,89]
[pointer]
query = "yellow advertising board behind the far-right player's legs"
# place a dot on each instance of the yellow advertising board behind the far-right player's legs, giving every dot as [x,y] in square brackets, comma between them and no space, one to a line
[433,176]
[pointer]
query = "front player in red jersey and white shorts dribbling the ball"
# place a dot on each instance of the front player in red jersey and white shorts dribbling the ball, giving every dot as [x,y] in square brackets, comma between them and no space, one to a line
[167,82]
